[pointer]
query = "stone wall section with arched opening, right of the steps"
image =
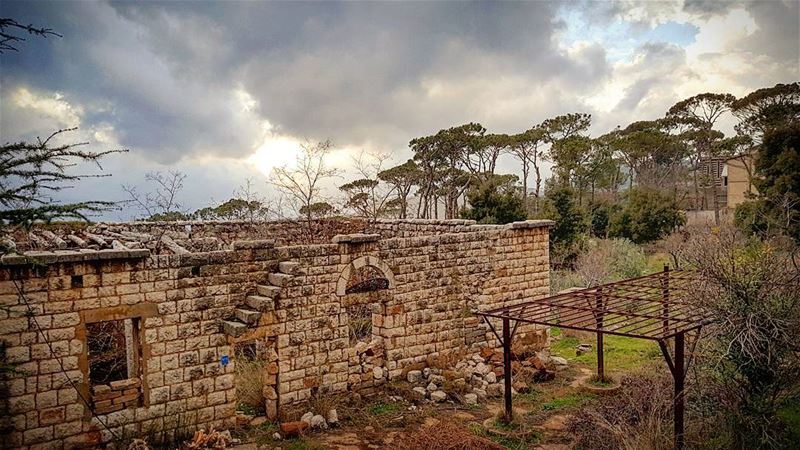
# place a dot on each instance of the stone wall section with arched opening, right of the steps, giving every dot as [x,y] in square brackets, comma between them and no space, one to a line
[437,283]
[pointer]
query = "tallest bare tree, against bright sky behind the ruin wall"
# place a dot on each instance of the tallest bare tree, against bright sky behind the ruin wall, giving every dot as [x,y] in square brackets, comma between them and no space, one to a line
[301,184]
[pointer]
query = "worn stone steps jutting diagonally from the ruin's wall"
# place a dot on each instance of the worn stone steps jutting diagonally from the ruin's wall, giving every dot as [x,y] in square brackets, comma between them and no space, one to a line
[246,316]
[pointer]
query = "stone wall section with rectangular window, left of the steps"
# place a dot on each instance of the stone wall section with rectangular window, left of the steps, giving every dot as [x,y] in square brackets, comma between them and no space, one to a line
[177,300]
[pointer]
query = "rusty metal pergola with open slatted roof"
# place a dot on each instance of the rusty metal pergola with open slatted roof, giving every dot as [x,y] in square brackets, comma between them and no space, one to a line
[656,307]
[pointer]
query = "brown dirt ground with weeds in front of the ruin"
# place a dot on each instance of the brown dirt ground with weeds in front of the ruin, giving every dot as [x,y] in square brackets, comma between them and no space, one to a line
[390,420]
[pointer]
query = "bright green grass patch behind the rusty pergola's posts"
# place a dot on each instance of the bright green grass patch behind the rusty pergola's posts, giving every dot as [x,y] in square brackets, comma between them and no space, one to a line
[621,353]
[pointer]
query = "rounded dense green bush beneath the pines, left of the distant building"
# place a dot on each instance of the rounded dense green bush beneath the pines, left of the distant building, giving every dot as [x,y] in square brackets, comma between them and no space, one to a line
[647,216]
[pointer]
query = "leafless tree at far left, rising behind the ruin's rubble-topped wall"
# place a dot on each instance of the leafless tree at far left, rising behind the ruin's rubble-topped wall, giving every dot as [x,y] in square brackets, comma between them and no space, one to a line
[161,202]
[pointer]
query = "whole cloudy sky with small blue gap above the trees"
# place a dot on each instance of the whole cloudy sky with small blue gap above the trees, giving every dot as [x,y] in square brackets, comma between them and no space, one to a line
[225,91]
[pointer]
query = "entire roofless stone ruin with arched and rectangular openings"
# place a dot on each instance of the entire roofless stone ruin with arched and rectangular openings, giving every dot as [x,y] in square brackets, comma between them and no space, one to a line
[135,326]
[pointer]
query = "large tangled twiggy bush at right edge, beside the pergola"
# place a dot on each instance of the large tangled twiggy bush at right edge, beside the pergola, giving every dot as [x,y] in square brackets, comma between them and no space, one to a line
[752,359]
